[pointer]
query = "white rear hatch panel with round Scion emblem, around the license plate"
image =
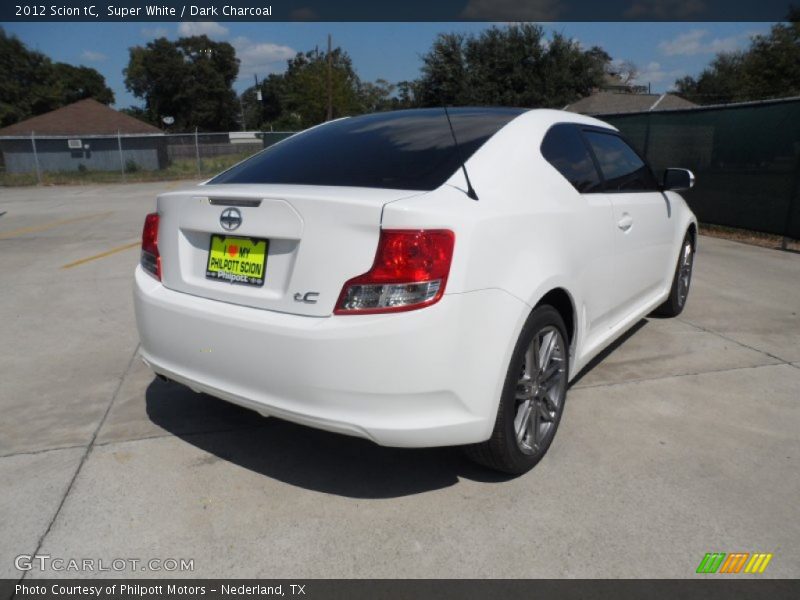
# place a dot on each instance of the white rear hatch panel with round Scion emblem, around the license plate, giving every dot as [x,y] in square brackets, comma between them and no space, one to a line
[317,238]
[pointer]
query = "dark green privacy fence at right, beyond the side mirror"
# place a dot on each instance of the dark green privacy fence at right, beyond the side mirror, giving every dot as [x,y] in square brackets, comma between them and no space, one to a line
[746,158]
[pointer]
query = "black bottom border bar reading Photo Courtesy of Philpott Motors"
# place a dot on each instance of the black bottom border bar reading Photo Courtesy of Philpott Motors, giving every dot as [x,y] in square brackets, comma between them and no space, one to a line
[698,588]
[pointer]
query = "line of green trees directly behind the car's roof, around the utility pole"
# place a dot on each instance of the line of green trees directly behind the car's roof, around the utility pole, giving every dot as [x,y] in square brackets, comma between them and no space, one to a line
[510,66]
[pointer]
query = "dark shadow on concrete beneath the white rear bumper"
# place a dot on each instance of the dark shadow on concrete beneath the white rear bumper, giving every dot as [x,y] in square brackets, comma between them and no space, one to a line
[302,456]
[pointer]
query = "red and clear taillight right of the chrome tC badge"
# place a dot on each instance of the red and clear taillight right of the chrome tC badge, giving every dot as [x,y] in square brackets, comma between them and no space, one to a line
[410,272]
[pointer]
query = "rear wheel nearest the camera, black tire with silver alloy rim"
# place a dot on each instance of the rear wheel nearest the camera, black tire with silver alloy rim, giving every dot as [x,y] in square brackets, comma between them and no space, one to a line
[533,397]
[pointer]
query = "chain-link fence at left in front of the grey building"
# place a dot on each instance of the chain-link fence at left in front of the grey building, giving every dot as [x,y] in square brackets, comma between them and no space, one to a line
[122,158]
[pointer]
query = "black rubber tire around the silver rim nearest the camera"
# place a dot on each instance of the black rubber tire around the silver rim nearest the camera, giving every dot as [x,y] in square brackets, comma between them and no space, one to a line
[502,451]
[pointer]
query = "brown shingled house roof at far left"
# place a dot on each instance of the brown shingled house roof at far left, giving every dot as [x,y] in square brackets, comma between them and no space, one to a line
[84,117]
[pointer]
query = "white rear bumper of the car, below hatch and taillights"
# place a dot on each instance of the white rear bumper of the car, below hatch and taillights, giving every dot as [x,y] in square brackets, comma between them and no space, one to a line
[430,377]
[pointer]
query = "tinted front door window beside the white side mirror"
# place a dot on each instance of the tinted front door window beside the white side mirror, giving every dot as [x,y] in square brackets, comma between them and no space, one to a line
[622,168]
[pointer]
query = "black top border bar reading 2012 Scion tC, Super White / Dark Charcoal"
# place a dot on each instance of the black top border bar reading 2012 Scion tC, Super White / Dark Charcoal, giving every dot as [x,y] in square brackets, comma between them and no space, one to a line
[397,10]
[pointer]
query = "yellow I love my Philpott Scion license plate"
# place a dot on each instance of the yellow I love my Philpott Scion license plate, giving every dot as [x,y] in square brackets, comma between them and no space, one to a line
[237,260]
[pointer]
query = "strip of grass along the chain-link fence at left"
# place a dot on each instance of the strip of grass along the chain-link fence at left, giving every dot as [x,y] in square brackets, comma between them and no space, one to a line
[179,169]
